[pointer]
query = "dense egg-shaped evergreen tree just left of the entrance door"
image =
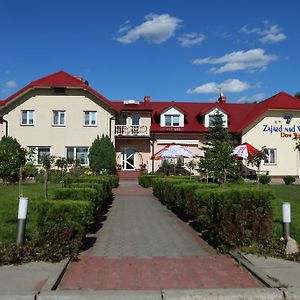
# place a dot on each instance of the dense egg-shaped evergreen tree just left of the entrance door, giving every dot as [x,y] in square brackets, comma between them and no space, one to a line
[102,155]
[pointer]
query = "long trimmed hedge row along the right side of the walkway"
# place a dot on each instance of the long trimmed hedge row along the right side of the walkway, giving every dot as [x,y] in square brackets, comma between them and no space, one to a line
[232,217]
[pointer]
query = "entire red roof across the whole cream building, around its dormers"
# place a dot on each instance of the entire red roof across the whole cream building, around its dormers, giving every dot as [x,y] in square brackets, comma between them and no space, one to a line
[240,115]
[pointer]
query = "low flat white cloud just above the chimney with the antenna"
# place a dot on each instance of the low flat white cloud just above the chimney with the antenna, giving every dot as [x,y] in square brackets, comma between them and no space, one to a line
[227,86]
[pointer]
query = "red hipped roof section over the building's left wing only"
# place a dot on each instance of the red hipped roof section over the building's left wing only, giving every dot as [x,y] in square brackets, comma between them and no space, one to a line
[58,79]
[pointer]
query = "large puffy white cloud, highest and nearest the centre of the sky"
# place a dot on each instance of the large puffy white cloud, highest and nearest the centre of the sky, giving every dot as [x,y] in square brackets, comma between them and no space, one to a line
[155,29]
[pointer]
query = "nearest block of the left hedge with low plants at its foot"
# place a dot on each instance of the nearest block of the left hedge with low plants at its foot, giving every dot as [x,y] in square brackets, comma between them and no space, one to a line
[61,226]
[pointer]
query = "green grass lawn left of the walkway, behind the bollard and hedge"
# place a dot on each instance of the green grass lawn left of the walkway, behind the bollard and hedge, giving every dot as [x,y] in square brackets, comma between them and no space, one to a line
[9,208]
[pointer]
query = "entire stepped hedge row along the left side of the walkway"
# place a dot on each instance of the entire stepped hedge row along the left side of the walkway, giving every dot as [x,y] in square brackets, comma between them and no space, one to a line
[63,221]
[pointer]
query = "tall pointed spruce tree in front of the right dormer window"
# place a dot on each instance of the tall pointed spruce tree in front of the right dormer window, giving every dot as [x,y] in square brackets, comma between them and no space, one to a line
[218,161]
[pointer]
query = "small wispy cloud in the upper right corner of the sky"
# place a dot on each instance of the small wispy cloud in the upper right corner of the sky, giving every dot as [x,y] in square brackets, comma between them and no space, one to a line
[269,33]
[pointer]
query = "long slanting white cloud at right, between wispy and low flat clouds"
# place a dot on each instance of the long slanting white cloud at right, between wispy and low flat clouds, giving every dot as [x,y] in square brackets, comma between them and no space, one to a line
[251,60]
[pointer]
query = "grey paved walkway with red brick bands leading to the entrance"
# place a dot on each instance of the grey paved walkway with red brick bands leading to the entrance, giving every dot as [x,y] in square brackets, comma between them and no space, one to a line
[143,246]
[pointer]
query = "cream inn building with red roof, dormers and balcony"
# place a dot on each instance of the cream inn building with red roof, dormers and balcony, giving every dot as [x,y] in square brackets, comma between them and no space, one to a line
[61,115]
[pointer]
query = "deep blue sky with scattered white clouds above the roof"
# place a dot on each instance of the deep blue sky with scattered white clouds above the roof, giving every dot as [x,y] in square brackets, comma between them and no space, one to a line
[171,50]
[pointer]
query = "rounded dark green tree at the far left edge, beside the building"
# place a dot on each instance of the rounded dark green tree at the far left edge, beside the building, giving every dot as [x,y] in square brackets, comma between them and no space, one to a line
[12,158]
